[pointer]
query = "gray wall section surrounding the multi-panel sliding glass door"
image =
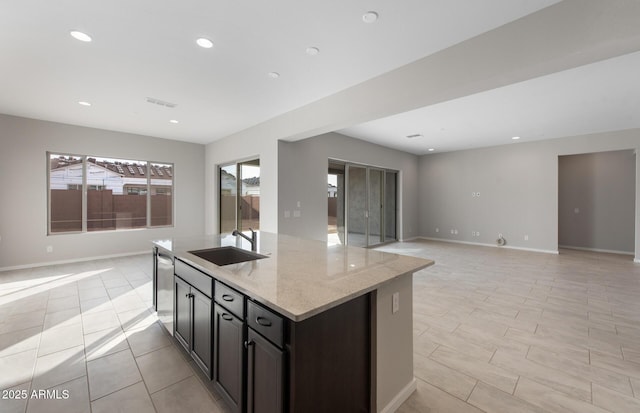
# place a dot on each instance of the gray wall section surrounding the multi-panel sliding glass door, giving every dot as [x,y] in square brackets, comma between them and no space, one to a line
[302,177]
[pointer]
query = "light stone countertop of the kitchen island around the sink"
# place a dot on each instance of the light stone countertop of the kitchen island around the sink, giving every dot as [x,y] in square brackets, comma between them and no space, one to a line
[300,277]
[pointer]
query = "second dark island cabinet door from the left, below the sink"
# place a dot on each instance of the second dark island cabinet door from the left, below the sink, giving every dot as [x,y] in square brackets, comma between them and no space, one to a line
[202,319]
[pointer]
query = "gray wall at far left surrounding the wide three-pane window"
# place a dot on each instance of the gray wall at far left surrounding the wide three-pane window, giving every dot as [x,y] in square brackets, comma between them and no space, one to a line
[23,179]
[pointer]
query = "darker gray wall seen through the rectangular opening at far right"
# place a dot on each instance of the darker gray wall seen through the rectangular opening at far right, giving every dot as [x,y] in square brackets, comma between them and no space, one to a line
[597,200]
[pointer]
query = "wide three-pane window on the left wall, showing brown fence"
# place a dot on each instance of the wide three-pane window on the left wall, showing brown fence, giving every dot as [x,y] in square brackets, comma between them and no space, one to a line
[120,194]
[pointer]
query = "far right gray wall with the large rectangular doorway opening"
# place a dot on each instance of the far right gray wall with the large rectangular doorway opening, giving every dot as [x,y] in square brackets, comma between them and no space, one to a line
[518,186]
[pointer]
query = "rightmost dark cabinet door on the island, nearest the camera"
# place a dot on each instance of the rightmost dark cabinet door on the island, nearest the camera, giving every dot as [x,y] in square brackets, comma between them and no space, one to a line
[265,378]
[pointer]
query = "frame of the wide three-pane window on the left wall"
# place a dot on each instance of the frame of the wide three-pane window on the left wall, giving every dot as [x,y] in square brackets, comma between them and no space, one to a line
[85,188]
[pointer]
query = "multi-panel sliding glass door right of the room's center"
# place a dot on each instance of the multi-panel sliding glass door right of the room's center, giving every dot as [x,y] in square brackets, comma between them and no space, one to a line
[362,204]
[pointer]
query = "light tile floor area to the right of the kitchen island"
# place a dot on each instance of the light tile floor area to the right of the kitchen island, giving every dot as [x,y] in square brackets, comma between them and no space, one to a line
[500,330]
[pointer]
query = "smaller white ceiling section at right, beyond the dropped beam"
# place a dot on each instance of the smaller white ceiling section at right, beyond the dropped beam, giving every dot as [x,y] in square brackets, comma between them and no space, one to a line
[598,97]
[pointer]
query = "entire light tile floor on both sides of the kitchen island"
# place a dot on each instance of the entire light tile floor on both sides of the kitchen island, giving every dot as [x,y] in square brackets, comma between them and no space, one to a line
[495,330]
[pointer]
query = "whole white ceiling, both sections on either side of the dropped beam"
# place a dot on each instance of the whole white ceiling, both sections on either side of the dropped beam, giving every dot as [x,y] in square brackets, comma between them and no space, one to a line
[146,48]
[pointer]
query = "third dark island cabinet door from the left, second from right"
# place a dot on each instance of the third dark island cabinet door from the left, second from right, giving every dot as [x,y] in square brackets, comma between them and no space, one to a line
[228,357]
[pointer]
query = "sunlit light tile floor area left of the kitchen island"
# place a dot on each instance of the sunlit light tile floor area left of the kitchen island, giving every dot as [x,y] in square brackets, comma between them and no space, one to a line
[86,333]
